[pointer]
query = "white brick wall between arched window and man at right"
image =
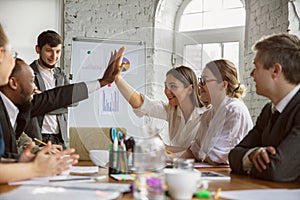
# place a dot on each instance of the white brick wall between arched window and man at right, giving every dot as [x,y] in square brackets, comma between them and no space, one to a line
[263,18]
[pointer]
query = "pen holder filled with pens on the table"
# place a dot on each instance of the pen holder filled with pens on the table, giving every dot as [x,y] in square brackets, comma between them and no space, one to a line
[118,162]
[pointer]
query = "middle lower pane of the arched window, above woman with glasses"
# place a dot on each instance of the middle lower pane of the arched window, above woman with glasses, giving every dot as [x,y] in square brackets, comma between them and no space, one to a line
[211,52]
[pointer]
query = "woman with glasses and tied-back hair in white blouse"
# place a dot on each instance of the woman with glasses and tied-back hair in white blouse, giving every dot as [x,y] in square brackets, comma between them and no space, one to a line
[227,120]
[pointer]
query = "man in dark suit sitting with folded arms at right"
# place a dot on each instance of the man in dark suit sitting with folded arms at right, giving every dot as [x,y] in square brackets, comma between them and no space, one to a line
[271,149]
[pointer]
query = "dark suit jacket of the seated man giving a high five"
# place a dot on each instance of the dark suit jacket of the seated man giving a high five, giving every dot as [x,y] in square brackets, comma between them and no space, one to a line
[41,104]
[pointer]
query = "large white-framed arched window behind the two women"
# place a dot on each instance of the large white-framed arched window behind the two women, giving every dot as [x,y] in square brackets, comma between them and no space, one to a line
[208,30]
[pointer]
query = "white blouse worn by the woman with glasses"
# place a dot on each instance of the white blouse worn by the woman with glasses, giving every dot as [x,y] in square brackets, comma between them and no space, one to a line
[220,130]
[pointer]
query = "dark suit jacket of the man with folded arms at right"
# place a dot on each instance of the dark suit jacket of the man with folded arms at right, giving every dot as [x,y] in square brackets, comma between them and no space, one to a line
[284,136]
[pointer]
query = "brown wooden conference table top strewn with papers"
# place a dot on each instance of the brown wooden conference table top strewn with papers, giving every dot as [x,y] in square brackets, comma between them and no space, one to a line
[237,182]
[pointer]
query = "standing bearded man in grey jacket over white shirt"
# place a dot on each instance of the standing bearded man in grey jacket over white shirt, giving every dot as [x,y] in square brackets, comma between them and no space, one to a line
[53,125]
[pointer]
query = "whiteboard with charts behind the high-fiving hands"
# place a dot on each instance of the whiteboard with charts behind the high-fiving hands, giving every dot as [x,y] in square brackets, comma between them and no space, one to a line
[107,107]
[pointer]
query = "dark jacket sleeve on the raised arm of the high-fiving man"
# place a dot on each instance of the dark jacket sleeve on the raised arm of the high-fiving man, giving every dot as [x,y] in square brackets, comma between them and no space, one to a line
[58,97]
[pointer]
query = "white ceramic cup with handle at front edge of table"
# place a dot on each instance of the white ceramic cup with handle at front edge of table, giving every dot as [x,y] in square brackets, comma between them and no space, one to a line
[182,184]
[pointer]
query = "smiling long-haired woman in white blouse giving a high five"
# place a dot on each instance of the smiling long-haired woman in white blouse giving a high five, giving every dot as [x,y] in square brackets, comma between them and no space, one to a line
[182,111]
